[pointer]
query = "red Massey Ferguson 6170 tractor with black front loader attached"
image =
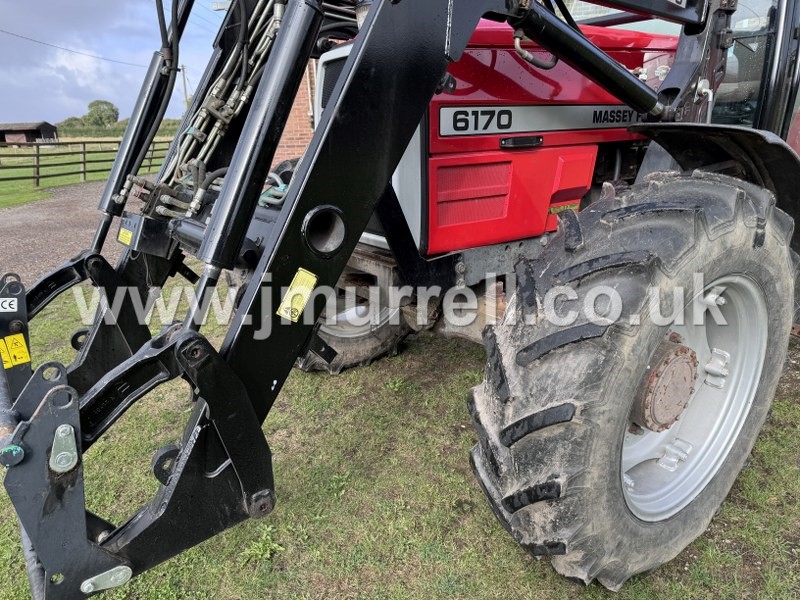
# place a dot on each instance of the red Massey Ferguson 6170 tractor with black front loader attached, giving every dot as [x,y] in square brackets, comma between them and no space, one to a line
[609,211]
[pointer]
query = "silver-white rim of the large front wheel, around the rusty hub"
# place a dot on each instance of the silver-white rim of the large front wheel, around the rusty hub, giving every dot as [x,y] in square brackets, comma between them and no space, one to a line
[664,472]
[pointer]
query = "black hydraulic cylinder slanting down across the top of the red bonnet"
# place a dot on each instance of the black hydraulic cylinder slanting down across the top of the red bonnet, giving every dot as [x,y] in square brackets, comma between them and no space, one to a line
[571,46]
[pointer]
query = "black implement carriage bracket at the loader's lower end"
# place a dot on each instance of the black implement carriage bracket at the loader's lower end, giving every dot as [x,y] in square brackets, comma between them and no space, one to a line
[220,474]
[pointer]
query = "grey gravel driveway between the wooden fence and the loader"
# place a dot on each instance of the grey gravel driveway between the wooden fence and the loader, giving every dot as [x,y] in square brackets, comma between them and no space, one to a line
[38,236]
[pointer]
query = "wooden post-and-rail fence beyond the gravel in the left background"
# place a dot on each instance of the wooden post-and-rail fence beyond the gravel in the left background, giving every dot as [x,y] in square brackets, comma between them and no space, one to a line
[68,160]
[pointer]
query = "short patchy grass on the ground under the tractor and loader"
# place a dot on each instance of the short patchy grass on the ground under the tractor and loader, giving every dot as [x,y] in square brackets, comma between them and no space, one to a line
[376,498]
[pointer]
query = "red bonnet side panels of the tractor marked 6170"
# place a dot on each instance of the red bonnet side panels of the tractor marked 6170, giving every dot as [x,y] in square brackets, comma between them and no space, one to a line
[481,194]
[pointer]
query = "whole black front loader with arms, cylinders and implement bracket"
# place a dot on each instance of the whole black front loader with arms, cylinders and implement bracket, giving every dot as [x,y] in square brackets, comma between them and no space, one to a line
[221,473]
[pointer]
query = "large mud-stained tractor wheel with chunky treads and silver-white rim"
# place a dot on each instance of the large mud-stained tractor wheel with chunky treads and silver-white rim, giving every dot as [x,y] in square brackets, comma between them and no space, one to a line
[608,441]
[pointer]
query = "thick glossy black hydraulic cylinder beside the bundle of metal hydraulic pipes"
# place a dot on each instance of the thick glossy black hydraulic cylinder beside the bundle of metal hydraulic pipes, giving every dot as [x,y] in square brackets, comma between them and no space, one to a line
[255,150]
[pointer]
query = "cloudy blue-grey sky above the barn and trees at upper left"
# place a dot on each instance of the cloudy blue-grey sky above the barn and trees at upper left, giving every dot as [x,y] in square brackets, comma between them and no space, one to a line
[41,83]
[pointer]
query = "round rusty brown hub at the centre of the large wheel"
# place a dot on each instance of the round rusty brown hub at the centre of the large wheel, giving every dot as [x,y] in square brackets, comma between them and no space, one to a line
[666,392]
